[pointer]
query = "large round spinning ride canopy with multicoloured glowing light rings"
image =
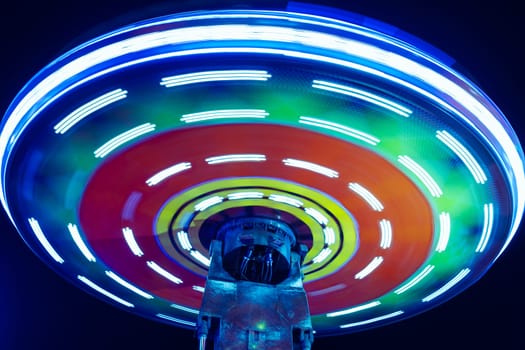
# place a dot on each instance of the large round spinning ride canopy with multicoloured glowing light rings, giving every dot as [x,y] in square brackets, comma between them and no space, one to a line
[124,157]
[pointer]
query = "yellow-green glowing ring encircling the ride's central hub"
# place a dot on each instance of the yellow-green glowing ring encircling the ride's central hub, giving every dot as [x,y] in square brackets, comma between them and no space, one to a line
[175,216]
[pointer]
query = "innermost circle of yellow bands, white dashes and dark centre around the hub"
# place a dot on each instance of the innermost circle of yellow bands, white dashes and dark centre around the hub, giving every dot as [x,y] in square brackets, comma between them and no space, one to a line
[324,232]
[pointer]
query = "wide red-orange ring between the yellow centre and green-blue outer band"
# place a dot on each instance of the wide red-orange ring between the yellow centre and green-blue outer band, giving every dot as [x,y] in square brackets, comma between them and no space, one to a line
[413,235]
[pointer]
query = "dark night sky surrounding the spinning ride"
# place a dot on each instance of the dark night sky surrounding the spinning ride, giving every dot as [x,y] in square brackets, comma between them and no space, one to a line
[39,310]
